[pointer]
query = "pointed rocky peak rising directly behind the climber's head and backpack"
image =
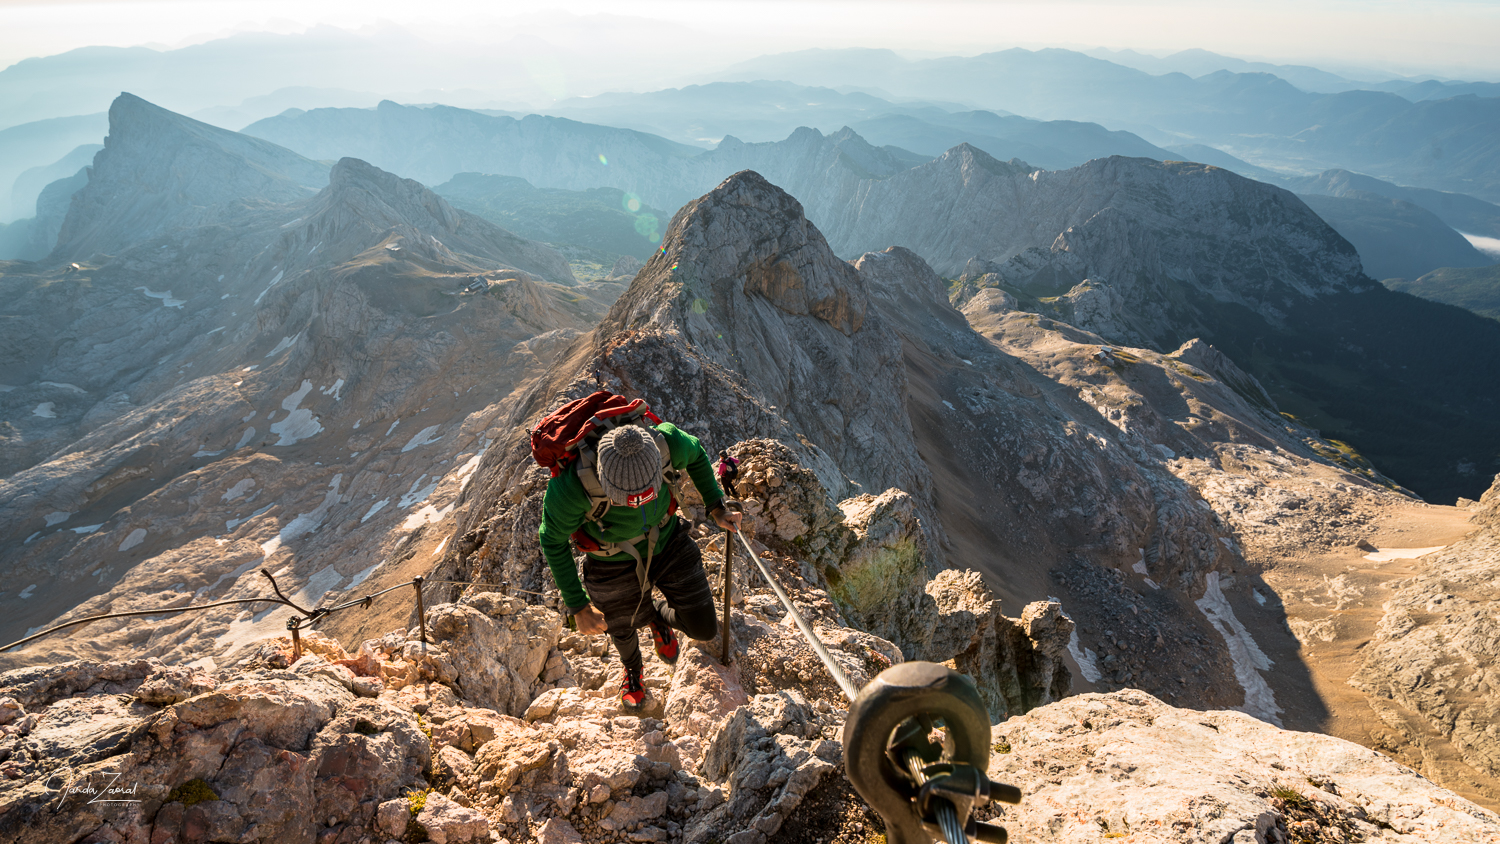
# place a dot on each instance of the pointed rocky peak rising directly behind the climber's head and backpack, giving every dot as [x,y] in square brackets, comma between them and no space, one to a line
[739,319]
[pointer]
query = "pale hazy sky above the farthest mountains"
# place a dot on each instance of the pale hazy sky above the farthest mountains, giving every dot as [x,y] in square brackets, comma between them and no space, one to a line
[1454,38]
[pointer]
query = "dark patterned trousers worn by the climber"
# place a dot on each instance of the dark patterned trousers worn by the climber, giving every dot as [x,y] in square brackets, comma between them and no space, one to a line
[677,572]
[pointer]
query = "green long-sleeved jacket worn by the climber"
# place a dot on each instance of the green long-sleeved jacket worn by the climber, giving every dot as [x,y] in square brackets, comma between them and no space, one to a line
[566,504]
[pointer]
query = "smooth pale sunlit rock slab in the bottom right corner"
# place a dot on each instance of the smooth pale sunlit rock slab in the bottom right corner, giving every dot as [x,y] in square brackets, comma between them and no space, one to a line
[1129,767]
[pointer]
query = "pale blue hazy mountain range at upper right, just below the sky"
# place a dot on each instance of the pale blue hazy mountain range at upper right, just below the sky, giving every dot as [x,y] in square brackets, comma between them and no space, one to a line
[1448,145]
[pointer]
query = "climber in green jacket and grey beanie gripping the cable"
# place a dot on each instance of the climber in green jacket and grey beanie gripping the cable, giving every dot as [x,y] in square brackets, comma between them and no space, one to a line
[637,545]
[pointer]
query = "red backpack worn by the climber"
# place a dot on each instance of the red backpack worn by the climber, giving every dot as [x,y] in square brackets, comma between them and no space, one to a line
[568,440]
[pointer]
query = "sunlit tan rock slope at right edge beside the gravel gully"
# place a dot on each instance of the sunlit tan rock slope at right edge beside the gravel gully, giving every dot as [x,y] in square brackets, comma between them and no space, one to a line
[1430,672]
